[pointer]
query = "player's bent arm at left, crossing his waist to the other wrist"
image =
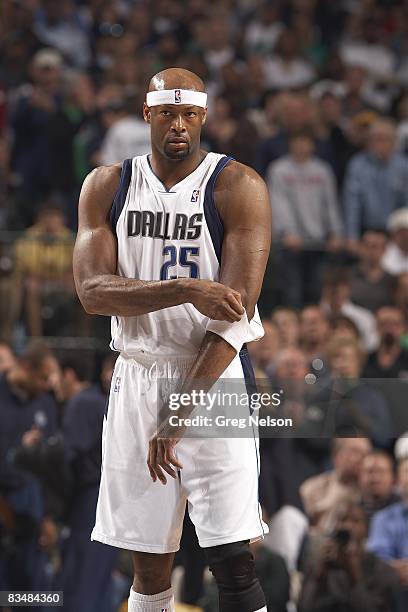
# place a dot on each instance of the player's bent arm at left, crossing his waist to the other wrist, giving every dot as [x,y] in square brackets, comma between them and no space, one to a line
[99,287]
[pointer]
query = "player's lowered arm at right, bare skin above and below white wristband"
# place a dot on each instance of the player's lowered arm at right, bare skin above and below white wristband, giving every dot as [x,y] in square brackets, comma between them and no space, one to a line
[242,200]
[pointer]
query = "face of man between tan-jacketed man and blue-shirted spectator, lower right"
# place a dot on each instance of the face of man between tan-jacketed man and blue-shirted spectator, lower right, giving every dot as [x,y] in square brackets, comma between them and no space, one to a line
[377,482]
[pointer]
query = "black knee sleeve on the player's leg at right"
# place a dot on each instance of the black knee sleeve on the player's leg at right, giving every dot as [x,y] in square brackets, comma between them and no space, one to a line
[233,568]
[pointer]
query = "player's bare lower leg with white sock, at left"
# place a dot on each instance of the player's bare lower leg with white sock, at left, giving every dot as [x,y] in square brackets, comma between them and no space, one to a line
[151,590]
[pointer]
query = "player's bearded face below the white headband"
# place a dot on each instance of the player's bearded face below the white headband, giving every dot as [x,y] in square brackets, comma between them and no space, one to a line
[175,130]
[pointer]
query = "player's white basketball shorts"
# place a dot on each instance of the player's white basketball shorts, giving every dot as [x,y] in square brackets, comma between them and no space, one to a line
[219,479]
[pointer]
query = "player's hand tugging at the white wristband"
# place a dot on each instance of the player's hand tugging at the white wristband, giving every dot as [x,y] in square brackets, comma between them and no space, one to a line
[217,301]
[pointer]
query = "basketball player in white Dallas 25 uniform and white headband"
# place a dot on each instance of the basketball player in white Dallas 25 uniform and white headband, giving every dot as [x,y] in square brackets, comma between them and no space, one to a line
[173,246]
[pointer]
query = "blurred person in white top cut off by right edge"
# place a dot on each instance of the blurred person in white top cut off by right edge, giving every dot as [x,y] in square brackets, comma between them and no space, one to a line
[395,259]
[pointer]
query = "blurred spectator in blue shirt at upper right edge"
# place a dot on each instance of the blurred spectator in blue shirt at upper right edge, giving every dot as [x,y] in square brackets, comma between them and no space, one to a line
[376,183]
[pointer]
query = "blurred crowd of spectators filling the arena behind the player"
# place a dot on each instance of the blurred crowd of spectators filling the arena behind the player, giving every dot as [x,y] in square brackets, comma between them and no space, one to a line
[314,95]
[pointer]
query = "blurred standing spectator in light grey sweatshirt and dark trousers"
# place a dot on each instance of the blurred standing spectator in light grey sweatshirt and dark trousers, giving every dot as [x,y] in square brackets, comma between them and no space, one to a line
[306,219]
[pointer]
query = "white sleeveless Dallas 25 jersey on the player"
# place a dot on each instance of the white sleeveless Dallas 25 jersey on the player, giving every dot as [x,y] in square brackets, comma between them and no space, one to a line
[165,234]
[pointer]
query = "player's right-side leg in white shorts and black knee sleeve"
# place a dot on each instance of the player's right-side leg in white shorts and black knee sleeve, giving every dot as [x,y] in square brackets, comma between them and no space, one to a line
[220,477]
